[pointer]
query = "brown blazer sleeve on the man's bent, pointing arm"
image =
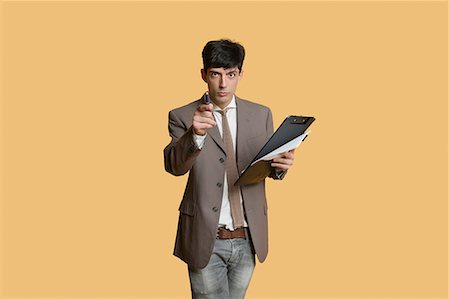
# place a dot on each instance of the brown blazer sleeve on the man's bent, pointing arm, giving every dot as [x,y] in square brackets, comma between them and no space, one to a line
[181,152]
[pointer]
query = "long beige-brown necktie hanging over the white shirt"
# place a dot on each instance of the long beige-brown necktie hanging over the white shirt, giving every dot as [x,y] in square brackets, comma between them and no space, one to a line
[232,173]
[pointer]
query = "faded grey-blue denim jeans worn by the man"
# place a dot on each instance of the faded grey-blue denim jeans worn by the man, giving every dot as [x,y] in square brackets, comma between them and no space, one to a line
[228,272]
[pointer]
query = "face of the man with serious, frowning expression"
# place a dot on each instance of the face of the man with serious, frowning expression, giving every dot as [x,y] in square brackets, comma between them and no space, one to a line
[222,84]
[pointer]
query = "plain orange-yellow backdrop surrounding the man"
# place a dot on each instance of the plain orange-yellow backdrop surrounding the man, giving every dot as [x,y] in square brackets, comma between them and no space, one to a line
[88,211]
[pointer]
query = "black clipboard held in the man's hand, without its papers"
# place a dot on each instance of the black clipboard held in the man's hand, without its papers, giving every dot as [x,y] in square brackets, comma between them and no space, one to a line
[291,128]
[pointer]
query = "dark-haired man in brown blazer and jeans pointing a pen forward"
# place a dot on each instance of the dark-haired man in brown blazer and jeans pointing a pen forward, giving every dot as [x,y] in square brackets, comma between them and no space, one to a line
[221,226]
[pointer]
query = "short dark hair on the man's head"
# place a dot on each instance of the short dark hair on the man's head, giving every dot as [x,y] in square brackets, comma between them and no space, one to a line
[223,53]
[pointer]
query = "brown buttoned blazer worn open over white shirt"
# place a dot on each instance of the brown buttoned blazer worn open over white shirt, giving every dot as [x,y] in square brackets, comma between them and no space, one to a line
[200,206]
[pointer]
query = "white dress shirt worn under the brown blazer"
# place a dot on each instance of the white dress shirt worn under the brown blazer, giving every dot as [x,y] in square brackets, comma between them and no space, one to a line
[225,218]
